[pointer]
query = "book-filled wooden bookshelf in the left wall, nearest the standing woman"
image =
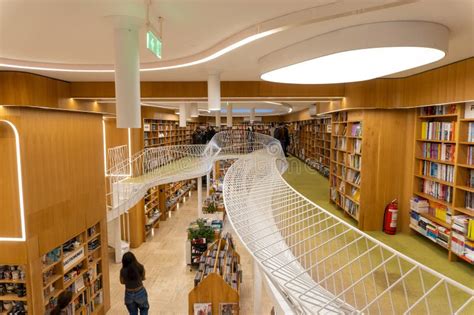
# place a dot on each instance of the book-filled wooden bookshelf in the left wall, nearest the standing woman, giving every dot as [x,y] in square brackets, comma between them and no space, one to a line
[76,266]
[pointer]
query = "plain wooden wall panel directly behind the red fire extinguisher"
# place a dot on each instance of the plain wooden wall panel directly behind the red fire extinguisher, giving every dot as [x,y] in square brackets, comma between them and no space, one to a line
[386,170]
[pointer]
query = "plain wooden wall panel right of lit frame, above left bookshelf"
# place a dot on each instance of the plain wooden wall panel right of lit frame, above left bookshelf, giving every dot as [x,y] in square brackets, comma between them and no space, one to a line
[63,172]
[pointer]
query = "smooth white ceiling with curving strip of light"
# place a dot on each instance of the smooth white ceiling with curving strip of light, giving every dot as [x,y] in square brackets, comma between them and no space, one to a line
[76,32]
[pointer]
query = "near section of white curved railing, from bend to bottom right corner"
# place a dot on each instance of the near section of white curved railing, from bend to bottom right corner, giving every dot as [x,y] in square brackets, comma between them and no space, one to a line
[322,264]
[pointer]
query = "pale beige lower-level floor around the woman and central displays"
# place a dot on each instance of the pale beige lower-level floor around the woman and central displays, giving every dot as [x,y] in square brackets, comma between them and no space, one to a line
[168,278]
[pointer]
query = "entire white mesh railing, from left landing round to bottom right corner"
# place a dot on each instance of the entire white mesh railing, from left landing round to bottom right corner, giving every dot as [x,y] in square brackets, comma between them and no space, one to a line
[319,263]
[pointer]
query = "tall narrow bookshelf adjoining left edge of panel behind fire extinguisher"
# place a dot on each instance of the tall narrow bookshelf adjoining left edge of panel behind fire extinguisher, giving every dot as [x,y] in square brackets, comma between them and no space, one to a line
[346,161]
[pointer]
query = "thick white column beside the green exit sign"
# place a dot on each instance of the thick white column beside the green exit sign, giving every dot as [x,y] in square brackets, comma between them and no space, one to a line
[127,72]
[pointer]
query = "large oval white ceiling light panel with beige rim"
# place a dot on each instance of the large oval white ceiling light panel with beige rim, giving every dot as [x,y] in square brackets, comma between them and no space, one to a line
[357,53]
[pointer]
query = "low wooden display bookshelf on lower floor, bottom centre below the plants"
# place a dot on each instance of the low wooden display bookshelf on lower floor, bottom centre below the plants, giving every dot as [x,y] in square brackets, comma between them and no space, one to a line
[218,278]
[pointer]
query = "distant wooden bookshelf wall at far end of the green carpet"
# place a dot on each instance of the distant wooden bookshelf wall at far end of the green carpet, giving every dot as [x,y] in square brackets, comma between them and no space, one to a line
[311,142]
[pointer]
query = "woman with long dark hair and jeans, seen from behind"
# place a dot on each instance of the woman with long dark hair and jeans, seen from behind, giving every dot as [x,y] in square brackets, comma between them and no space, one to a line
[132,275]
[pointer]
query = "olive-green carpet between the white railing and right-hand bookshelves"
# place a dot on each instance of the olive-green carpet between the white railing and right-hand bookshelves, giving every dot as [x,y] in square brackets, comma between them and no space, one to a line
[315,187]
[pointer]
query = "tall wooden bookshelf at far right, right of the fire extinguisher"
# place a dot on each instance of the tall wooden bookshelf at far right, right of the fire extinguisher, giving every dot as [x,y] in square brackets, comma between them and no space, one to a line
[442,208]
